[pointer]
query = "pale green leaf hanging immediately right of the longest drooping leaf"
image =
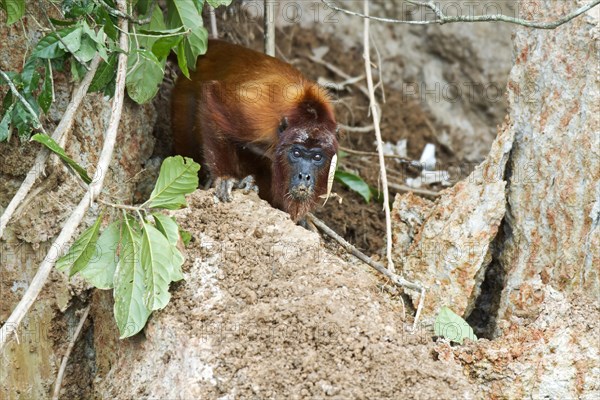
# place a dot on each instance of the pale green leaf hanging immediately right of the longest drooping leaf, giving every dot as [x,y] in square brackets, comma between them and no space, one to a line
[156,260]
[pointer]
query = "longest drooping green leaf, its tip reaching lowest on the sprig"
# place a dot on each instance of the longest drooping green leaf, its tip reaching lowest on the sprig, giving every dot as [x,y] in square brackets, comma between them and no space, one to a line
[130,311]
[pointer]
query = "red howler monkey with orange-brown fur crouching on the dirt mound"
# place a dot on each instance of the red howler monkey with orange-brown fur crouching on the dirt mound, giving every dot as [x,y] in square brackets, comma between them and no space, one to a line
[247,116]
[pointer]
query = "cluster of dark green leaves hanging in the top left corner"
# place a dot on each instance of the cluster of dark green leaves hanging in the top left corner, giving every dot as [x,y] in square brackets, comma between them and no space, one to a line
[88,28]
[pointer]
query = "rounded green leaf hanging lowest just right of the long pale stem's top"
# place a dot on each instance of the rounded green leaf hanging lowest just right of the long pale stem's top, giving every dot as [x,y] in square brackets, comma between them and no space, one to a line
[144,75]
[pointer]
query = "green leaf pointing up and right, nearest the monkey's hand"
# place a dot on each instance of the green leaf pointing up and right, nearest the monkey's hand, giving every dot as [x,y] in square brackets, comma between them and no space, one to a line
[177,177]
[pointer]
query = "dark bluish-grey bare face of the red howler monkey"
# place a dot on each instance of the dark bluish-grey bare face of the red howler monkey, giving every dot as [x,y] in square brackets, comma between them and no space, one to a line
[304,167]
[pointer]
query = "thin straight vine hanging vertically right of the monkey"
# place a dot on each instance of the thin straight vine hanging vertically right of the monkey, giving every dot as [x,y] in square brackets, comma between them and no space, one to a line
[375,113]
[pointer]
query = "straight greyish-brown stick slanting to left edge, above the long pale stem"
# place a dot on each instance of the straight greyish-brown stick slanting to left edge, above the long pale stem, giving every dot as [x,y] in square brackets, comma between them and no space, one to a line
[38,166]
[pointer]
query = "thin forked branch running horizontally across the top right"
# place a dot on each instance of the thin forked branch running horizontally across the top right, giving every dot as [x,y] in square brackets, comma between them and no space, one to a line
[445,19]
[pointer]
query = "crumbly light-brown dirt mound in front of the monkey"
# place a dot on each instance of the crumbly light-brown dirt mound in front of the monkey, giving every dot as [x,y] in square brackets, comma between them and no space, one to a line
[267,312]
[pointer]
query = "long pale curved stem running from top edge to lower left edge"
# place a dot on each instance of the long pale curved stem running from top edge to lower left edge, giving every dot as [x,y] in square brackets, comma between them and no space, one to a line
[79,212]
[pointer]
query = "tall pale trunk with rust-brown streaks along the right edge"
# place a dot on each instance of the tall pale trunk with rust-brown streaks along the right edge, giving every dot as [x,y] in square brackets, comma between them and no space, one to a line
[540,296]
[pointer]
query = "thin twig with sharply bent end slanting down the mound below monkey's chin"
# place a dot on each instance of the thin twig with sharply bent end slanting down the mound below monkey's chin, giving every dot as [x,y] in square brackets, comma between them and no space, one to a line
[396,279]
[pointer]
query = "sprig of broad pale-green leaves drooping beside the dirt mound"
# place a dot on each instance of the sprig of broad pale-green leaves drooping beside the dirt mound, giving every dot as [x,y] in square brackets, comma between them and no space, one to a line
[136,255]
